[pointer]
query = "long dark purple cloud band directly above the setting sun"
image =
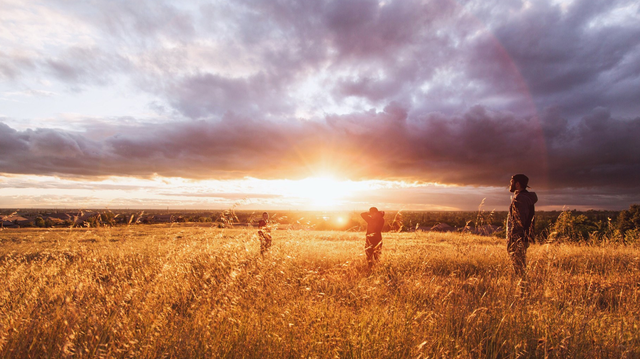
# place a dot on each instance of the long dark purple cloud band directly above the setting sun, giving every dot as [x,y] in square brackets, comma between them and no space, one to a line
[479,147]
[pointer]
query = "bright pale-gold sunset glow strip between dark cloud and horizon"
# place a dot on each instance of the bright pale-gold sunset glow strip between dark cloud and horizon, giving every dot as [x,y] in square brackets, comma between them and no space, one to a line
[314,193]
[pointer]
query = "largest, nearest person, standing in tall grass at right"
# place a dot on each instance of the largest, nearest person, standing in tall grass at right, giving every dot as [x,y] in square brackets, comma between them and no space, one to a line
[520,222]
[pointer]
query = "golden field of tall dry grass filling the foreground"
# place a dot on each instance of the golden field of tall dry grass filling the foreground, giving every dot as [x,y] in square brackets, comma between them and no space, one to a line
[146,292]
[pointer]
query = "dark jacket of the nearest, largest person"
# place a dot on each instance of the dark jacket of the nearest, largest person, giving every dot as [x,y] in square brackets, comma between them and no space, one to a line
[521,216]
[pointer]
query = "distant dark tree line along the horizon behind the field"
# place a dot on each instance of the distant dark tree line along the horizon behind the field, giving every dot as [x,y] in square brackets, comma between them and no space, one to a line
[570,225]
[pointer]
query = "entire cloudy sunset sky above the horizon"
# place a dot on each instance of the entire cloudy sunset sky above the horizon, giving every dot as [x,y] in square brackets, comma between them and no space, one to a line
[413,105]
